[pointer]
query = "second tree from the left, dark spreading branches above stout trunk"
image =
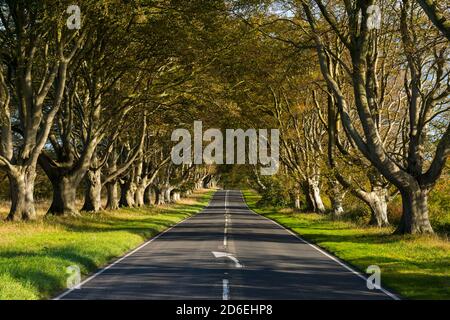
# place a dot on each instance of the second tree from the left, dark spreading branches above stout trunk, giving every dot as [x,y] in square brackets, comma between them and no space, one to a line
[95,102]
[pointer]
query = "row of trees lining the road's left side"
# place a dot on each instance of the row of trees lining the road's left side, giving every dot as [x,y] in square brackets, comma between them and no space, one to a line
[94,107]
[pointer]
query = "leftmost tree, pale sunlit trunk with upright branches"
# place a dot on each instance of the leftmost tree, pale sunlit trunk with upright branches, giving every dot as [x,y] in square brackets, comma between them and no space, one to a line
[37,50]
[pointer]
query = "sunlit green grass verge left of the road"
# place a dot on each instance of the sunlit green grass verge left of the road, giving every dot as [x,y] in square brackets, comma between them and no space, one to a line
[34,256]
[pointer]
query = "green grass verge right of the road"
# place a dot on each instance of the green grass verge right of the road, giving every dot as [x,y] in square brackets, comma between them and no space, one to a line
[416,267]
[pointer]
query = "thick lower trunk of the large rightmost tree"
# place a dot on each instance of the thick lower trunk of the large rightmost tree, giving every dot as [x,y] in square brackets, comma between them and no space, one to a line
[415,218]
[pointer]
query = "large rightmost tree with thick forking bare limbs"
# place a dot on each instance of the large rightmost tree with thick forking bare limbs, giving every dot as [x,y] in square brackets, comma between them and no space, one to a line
[426,92]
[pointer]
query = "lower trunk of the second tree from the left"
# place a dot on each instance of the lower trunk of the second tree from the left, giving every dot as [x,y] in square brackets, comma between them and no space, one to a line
[64,197]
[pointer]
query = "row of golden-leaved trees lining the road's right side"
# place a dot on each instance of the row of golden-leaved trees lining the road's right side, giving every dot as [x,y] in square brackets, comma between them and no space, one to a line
[361,109]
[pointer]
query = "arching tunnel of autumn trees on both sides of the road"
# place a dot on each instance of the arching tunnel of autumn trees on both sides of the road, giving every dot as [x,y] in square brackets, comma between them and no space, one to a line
[363,111]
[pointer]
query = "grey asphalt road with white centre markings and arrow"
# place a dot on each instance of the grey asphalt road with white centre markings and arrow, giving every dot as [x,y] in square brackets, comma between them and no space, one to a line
[226,252]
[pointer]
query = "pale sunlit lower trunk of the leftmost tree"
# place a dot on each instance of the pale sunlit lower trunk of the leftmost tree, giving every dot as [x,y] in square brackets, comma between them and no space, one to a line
[22,195]
